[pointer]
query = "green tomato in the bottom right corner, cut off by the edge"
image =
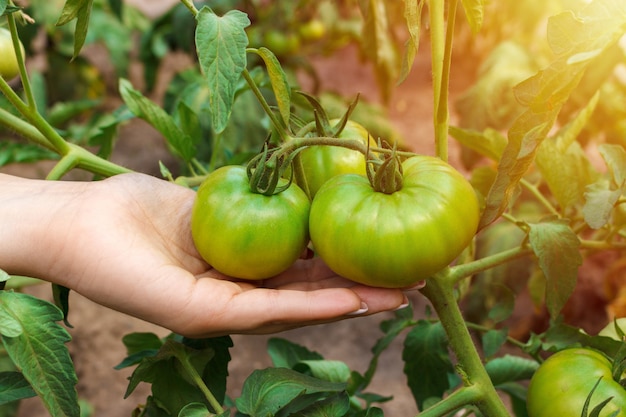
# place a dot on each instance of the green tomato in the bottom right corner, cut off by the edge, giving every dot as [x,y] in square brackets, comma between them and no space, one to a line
[563,382]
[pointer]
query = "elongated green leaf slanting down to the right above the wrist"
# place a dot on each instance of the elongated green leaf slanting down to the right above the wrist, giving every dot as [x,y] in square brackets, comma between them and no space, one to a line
[145,109]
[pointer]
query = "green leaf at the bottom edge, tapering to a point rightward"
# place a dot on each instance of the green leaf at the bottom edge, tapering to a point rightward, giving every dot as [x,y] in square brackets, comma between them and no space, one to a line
[267,391]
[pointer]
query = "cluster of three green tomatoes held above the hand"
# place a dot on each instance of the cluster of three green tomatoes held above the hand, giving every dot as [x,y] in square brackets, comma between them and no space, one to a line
[375,238]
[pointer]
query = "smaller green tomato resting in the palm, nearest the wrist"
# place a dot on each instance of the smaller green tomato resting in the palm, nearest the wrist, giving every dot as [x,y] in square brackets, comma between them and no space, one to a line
[247,235]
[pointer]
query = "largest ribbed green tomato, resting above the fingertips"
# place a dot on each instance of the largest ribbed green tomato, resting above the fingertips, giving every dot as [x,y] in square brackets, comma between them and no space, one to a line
[394,240]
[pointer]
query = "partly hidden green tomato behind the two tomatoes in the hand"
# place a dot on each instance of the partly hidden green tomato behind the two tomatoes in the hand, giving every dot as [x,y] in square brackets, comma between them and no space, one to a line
[321,163]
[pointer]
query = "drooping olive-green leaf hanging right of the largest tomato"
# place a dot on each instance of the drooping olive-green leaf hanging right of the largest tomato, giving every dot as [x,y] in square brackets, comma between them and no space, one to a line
[557,247]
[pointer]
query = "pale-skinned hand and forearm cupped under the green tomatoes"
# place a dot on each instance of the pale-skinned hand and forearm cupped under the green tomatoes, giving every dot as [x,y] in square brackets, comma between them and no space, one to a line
[125,243]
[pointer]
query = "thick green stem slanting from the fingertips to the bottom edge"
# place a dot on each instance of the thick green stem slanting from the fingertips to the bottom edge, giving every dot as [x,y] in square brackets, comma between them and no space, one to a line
[440,291]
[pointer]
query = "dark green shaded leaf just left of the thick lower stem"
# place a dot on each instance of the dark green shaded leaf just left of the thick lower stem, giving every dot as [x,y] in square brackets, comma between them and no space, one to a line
[426,361]
